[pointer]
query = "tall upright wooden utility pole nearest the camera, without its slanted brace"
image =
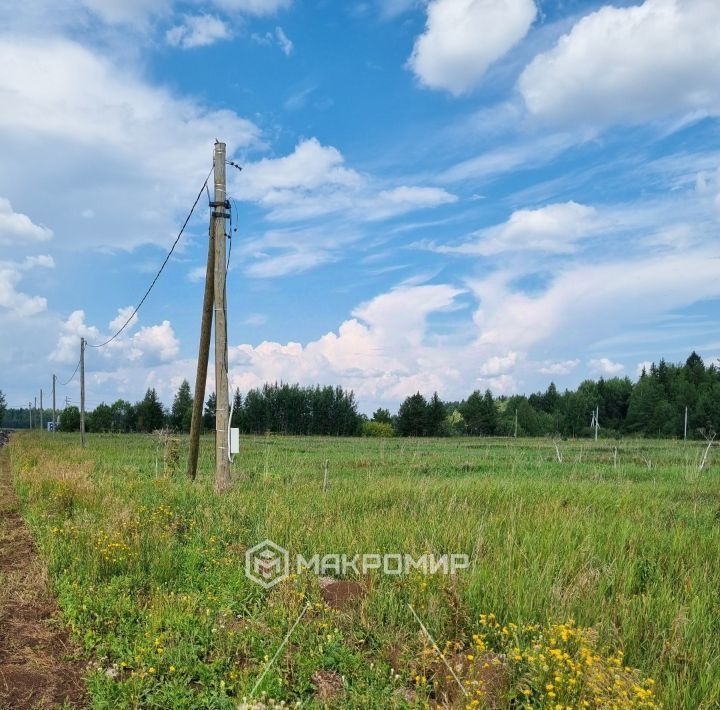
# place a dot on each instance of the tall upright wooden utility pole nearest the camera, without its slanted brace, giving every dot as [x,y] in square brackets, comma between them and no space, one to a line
[220,215]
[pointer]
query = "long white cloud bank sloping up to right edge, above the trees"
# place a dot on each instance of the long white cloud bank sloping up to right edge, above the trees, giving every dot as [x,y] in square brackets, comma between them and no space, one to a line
[587,302]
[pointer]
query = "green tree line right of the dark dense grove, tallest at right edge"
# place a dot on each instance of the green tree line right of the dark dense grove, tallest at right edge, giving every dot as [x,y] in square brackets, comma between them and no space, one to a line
[654,406]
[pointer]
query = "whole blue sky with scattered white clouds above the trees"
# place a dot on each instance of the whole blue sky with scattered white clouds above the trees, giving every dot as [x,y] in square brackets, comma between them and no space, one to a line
[444,195]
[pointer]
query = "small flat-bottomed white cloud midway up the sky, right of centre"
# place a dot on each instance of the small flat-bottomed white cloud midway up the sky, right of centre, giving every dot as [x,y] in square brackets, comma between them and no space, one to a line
[553,229]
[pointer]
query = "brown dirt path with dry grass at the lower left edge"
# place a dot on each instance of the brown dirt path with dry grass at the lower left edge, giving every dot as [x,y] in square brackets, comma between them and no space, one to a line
[36,665]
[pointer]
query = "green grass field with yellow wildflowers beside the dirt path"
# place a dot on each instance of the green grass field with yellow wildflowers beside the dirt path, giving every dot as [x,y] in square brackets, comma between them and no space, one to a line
[582,571]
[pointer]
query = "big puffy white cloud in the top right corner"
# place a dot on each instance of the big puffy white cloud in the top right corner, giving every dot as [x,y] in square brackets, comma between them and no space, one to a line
[630,64]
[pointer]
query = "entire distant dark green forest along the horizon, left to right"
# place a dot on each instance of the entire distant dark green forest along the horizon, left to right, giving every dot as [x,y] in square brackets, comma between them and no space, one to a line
[654,406]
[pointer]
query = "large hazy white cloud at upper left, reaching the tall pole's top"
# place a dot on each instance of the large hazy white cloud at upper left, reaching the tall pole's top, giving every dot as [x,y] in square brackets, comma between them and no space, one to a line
[137,153]
